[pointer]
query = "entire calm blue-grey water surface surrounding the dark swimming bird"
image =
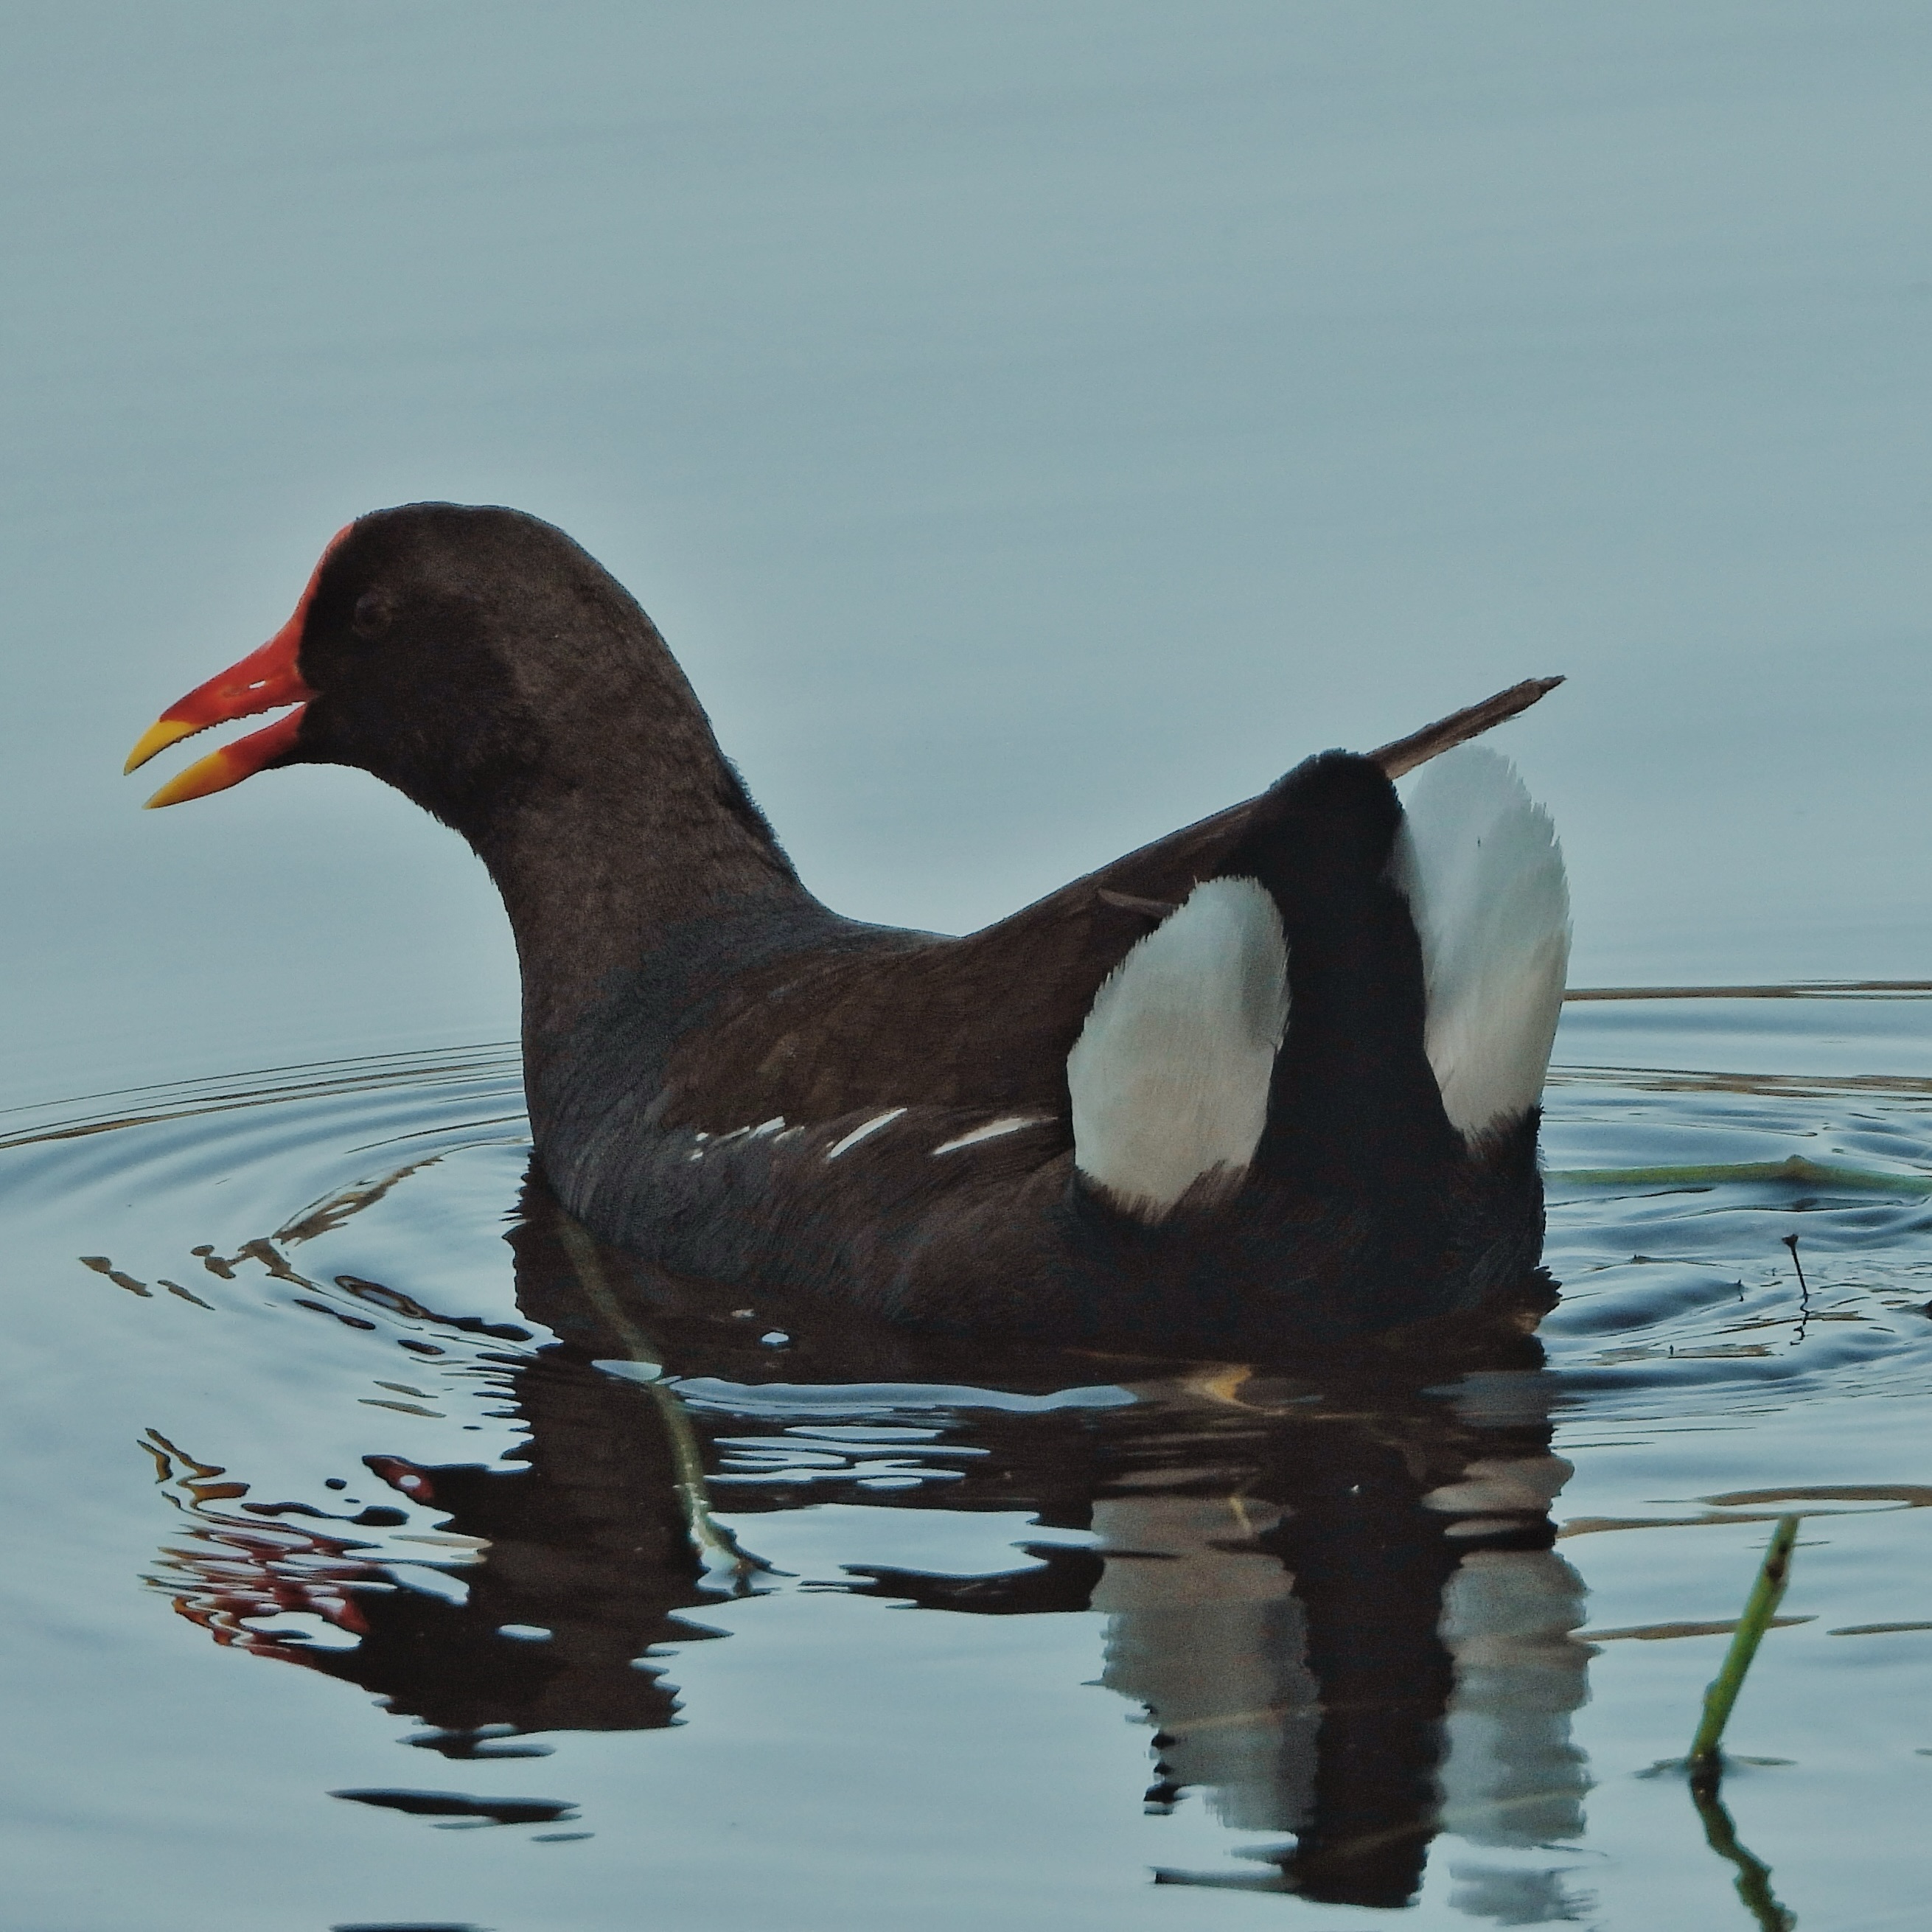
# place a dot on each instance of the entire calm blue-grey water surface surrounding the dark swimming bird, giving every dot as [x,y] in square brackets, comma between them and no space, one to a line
[1035,428]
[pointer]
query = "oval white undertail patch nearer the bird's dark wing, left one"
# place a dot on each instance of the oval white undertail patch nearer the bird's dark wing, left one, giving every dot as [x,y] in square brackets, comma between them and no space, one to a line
[1170,1075]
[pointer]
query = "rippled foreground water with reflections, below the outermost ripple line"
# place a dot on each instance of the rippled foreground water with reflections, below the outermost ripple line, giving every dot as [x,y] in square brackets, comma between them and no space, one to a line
[370,1572]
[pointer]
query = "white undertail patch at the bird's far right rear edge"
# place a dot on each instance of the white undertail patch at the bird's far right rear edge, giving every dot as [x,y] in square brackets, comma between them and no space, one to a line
[1485,880]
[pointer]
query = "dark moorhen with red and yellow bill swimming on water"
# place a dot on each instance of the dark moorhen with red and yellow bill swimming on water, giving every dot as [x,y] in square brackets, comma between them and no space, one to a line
[1268,1083]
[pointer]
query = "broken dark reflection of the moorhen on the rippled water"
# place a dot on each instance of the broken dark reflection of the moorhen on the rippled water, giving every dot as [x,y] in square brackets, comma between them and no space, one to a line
[1332,1593]
